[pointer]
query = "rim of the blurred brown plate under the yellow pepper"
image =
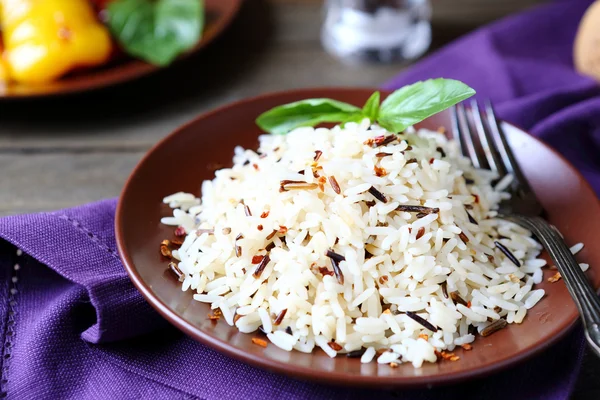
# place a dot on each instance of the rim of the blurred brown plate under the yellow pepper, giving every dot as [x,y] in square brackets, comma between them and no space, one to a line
[132,68]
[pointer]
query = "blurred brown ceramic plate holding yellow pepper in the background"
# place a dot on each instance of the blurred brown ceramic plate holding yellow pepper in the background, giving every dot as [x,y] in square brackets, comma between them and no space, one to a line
[218,14]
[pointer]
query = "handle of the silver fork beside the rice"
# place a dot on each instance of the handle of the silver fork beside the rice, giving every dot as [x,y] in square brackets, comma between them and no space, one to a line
[582,292]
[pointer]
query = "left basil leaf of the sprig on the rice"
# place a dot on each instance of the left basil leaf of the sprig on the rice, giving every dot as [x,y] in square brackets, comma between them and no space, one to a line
[282,119]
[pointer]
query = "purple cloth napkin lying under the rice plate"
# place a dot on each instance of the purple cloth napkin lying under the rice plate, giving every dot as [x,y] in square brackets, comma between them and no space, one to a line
[72,326]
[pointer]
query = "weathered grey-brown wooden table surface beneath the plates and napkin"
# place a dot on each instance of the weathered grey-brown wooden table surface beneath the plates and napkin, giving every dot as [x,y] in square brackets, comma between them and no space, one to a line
[62,152]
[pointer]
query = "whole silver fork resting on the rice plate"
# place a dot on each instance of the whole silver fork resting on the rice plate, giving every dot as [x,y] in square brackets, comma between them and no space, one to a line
[486,145]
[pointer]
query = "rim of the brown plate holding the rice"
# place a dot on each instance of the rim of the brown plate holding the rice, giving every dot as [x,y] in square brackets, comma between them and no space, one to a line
[330,377]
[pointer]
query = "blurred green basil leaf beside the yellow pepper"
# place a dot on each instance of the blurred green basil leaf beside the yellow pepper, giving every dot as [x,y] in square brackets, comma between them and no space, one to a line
[156,31]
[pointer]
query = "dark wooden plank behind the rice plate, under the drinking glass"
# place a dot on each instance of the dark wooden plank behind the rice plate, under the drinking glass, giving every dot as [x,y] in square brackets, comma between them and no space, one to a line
[272,46]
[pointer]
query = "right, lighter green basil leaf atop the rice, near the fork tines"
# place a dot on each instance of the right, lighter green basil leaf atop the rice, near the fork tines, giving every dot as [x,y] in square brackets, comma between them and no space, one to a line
[412,104]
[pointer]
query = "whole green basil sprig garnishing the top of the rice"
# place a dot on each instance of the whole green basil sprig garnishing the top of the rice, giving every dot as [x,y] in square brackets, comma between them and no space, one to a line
[401,109]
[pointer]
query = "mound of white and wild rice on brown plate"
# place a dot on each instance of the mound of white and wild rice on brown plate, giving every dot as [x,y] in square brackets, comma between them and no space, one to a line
[311,238]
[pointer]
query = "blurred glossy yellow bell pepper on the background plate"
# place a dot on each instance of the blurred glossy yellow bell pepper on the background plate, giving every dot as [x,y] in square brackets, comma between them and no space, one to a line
[45,39]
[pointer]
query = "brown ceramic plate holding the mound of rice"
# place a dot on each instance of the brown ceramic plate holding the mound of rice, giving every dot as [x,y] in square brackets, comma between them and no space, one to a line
[185,158]
